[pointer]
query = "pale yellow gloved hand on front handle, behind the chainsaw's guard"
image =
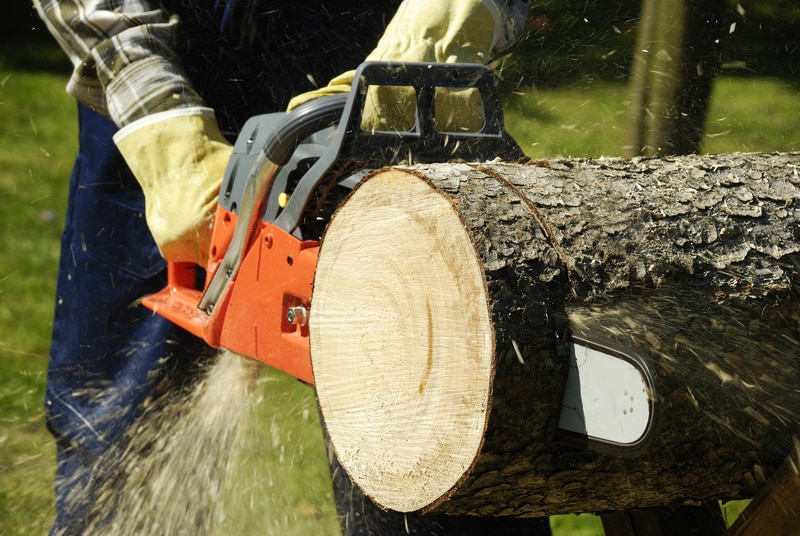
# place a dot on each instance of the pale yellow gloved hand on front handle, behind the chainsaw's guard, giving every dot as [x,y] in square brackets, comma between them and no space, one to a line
[458,31]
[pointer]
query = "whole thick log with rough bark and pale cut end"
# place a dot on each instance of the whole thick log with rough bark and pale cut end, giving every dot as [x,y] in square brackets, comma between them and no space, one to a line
[446,296]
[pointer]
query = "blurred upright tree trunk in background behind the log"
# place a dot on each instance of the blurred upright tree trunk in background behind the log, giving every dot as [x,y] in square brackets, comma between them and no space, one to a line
[675,60]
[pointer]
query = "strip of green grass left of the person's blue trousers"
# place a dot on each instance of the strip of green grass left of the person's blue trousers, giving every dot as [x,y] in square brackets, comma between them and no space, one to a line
[37,146]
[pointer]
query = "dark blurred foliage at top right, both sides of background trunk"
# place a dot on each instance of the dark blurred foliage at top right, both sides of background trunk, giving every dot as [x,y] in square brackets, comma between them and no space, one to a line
[579,41]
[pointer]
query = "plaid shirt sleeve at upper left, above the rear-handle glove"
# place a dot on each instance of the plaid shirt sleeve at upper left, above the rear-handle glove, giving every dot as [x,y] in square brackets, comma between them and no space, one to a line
[125,63]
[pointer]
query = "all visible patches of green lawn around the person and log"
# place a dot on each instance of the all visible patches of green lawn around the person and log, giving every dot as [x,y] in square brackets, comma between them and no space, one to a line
[281,487]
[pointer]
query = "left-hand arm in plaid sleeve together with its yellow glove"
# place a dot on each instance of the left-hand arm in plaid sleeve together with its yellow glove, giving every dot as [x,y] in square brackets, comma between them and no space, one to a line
[126,67]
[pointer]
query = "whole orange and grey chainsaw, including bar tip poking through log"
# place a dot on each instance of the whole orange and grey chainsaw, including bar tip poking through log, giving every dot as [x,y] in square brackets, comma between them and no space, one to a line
[287,175]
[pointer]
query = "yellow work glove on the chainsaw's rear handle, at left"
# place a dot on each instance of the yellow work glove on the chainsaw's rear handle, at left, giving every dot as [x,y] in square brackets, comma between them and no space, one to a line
[179,158]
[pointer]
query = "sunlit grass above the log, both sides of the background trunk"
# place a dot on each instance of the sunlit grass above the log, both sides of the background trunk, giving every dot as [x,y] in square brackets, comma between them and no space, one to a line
[746,114]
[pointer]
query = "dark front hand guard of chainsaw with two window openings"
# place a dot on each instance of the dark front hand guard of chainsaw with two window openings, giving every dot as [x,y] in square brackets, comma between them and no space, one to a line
[357,148]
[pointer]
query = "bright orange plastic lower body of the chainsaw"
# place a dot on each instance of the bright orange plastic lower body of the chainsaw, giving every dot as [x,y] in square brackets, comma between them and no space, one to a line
[276,275]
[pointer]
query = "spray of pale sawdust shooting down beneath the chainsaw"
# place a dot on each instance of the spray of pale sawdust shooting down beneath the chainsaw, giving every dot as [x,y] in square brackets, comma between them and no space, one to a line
[170,478]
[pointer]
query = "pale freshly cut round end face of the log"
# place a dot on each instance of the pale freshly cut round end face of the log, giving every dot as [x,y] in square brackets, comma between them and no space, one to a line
[402,345]
